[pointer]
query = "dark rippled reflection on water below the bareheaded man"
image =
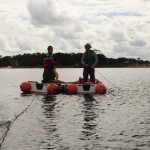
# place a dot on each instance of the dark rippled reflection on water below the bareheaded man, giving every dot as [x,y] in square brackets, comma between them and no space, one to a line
[50,125]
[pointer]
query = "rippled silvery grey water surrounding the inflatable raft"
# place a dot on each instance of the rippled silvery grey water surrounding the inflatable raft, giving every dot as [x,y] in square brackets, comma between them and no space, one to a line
[118,120]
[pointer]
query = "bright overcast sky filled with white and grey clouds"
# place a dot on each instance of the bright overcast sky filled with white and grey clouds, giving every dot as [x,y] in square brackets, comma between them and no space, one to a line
[118,28]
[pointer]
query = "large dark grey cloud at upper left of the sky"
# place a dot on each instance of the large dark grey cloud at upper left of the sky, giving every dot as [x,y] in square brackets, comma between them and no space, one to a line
[47,13]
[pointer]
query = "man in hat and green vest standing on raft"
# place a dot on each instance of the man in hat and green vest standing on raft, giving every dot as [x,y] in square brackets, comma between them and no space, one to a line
[89,60]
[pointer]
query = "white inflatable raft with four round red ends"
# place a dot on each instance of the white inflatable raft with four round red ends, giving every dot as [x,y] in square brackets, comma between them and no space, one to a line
[56,87]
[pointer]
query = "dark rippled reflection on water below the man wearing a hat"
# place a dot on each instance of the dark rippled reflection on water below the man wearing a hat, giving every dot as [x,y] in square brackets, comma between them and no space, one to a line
[89,134]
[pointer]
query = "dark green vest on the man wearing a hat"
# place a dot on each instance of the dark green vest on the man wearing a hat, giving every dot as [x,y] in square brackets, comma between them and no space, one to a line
[88,57]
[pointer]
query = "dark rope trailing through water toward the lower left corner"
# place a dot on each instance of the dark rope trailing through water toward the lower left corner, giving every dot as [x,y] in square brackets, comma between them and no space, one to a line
[2,139]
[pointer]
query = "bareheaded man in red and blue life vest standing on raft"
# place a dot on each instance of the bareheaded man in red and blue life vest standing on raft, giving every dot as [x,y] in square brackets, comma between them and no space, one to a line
[49,73]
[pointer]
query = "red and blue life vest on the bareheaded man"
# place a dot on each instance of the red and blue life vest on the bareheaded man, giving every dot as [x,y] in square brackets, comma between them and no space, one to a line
[48,61]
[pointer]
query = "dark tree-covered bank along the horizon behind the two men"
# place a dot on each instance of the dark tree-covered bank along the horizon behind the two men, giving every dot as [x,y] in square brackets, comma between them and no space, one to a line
[68,60]
